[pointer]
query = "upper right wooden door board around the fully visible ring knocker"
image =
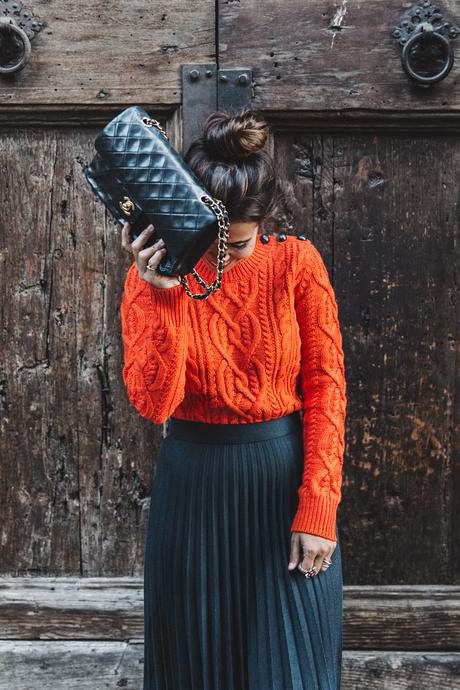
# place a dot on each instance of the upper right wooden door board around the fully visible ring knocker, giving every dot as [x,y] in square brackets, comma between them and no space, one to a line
[324,56]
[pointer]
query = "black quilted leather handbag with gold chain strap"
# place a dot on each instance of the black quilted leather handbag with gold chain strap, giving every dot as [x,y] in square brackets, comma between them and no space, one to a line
[141,178]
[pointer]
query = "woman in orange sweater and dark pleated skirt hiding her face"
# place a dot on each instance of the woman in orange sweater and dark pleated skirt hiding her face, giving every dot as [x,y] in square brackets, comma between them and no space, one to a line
[242,574]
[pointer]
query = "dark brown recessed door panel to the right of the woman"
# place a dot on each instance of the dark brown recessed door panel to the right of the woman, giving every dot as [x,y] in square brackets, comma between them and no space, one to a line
[383,212]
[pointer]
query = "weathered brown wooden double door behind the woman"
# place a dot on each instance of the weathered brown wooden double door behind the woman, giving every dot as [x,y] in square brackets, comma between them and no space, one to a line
[368,160]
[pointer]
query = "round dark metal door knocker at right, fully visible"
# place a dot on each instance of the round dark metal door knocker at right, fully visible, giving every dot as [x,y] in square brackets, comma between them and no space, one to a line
[427,54]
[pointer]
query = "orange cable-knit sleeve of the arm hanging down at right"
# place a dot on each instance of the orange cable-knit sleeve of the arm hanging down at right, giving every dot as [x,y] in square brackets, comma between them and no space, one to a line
[323,388]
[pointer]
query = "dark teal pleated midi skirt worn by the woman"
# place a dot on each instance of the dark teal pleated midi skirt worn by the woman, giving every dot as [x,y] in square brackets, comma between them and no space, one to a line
[221,609]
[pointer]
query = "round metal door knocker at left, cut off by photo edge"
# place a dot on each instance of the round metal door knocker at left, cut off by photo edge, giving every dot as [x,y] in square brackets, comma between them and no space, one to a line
[18,26]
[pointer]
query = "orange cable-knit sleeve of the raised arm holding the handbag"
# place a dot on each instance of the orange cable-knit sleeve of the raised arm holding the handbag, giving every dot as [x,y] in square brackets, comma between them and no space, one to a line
[154,335]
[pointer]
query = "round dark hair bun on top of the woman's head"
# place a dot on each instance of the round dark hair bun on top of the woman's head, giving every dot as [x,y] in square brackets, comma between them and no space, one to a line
[234,137]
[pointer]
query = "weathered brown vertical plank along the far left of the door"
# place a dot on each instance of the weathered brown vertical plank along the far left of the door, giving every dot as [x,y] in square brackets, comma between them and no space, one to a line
[39,488]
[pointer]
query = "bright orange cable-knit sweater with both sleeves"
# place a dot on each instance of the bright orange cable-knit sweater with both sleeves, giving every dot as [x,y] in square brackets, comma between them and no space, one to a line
[266,344]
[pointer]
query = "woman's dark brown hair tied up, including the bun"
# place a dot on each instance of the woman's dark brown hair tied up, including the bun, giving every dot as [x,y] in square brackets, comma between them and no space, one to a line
[231,161]
